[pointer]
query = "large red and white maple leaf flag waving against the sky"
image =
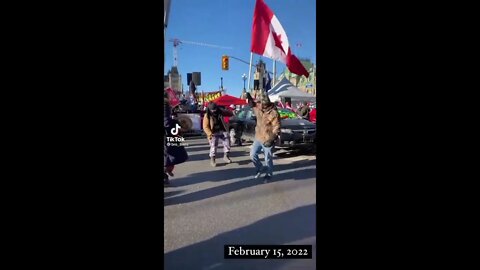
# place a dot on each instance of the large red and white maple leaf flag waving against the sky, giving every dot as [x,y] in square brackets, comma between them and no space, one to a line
[270,40]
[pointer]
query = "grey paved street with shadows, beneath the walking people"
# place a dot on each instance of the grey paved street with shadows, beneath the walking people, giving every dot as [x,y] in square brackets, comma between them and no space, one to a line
[207,207]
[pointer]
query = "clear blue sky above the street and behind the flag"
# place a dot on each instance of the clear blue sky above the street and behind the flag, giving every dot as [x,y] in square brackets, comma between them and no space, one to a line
[228,23]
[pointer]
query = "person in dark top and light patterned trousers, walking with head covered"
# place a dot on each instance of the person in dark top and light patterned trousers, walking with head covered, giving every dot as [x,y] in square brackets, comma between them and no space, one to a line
[217,130]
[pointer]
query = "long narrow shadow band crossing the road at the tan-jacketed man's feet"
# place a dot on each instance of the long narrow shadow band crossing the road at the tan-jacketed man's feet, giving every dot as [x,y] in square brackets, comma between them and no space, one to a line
[301,174]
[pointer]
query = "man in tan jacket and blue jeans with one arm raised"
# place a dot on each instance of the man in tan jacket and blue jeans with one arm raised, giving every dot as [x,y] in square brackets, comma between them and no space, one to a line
[266,132]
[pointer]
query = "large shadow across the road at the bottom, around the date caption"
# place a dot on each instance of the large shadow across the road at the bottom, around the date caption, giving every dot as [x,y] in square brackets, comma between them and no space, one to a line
[283,228]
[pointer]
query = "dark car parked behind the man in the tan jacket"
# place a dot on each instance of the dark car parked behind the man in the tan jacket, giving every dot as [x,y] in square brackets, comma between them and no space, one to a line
[295,131]
